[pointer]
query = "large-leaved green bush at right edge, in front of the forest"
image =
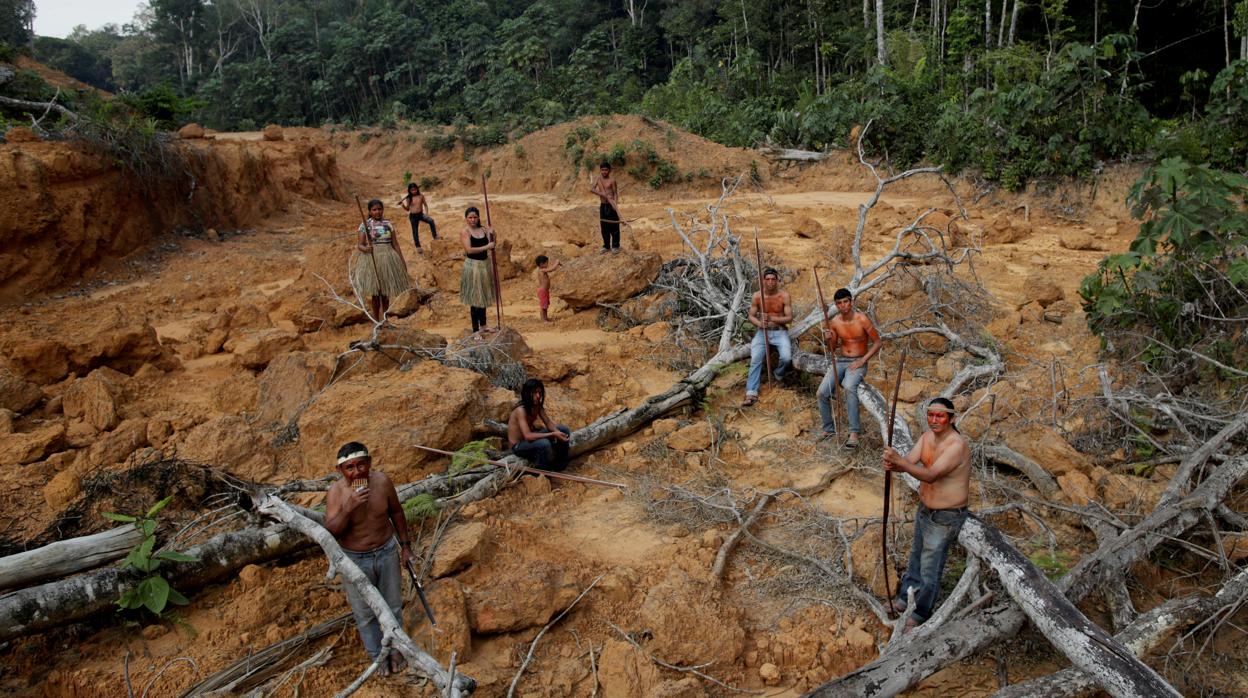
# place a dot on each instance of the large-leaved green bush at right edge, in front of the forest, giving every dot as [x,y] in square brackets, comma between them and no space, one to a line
[1186,267]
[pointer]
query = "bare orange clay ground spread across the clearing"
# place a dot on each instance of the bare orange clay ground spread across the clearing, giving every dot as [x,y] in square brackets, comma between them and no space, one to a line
[160,345]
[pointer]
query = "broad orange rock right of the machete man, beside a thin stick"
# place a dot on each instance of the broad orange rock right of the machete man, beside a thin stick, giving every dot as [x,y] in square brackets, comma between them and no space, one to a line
[520,602]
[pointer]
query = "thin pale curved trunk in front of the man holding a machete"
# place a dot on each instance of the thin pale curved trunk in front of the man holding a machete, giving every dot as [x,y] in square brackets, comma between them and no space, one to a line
[451,686]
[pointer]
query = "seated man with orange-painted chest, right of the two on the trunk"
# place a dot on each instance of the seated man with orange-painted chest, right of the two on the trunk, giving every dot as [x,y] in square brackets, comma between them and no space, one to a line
[859,342]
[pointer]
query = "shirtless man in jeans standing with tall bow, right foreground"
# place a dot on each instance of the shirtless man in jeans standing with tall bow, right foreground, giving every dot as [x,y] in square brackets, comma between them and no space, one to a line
[942,463]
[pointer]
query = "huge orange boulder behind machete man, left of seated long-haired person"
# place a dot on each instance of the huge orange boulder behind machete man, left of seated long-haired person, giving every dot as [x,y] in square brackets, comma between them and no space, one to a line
[431,404]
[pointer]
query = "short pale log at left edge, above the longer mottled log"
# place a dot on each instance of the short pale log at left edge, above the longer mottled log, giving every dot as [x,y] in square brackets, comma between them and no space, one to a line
[67,558]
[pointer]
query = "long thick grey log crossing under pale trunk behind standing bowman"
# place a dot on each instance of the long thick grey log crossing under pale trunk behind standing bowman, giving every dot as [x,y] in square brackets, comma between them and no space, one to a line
[974,632]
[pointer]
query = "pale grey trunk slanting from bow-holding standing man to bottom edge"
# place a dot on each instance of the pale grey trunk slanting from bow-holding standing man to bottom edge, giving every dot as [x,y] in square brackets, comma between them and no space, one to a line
[1085,644]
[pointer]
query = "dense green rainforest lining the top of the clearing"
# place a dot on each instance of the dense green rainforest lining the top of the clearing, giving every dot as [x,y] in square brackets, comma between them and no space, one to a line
[1014,89]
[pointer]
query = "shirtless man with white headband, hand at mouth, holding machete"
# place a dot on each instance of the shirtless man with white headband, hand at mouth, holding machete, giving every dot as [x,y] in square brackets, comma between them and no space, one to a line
[364,515]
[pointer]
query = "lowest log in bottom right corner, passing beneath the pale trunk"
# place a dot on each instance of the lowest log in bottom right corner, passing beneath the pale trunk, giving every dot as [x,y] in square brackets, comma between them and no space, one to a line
[1141,637]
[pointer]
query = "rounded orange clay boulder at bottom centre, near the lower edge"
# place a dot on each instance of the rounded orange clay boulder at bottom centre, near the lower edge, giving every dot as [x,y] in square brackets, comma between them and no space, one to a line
[677,605]
